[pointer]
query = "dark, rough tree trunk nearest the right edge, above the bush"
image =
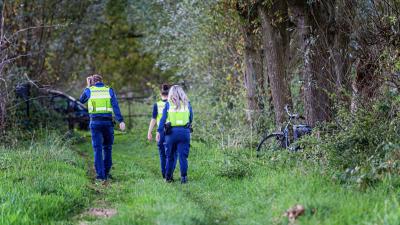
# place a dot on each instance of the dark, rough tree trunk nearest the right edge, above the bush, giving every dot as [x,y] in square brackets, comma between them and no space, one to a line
[372,42]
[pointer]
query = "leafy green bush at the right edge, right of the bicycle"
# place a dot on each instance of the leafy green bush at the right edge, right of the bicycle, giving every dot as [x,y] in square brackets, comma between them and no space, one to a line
[363,147]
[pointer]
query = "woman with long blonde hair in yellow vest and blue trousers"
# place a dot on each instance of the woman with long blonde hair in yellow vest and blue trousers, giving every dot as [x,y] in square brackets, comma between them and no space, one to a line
[176,120]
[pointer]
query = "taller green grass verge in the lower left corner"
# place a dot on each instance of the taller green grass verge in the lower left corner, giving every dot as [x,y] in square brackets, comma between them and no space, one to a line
[41,182]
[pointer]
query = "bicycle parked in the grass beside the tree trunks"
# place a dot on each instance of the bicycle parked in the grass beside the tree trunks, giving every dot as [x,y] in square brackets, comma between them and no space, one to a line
[281,139]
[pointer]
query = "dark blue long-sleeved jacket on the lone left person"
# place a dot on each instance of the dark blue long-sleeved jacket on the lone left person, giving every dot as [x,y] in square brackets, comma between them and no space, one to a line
[117,112]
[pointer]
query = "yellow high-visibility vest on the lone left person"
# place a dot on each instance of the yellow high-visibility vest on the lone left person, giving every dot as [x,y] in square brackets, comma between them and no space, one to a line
[100,100]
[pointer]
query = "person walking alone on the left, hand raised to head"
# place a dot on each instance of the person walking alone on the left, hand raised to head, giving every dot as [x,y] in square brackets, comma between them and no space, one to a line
[102,102]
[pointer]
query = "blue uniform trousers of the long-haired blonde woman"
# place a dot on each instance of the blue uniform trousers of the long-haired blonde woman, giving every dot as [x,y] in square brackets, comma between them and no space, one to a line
[177,142]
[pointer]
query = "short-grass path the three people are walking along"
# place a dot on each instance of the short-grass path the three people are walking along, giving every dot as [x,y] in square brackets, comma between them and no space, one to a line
[140,196]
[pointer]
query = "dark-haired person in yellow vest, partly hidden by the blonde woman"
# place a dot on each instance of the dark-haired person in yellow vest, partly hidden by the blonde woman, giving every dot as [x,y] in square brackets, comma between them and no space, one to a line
[157,113]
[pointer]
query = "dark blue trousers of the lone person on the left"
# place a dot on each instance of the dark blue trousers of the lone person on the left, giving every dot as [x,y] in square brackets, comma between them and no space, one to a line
[102,140]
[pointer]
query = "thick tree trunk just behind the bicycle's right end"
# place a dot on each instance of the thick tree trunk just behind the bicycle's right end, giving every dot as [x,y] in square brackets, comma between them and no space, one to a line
[315,24]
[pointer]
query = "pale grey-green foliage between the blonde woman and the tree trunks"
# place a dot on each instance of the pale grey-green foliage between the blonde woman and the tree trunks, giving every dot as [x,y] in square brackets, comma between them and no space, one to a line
[201,41]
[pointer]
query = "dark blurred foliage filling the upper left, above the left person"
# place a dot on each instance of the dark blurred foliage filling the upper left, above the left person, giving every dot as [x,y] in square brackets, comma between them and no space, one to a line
[59,43]
